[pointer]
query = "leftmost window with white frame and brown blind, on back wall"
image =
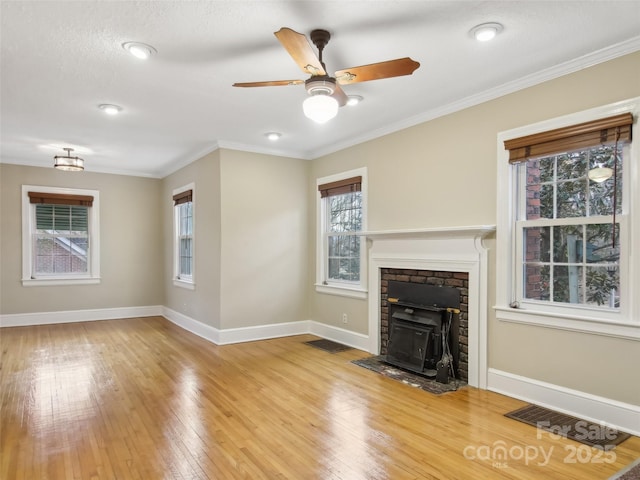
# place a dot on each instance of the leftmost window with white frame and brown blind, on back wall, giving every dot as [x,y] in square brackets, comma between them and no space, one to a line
[60,236]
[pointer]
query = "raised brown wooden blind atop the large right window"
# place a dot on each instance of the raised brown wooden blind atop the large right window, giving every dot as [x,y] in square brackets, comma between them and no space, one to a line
[574,137]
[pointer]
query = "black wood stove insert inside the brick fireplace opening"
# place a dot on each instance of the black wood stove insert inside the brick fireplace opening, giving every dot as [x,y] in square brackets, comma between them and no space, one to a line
[423,329]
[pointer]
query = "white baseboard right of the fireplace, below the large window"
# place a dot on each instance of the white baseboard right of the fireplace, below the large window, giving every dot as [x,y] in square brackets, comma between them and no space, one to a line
[619,415]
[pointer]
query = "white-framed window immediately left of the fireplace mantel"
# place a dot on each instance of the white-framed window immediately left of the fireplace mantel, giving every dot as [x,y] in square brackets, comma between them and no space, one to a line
[341,253]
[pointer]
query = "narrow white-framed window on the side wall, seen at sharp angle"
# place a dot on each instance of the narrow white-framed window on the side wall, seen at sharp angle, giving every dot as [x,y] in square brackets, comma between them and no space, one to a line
[183,234]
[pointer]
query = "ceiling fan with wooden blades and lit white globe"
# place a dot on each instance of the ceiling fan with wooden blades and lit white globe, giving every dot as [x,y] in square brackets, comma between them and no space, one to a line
[325,92]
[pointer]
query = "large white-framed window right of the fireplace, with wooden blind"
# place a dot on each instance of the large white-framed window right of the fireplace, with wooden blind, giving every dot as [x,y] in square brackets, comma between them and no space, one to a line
[569,236]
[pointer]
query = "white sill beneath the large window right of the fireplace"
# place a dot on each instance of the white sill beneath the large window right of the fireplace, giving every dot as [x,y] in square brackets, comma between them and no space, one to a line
[575,323]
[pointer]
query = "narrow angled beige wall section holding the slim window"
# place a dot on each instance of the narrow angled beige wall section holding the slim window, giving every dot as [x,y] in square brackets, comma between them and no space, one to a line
[202,303]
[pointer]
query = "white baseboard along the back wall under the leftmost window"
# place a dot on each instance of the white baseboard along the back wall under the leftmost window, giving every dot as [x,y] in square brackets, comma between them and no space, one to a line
[71,316]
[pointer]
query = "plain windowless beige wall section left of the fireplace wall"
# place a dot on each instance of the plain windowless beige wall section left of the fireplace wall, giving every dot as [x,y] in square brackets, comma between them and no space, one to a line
[264,248]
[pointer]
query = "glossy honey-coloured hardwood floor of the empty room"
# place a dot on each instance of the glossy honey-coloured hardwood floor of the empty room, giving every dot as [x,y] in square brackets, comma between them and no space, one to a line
[143,399]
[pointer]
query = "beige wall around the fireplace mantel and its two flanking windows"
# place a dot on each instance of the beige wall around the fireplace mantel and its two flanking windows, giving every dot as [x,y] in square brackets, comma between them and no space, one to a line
[446,170]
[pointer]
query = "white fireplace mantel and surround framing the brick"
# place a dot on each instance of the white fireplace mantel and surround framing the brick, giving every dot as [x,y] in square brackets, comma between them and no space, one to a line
[450,249]
